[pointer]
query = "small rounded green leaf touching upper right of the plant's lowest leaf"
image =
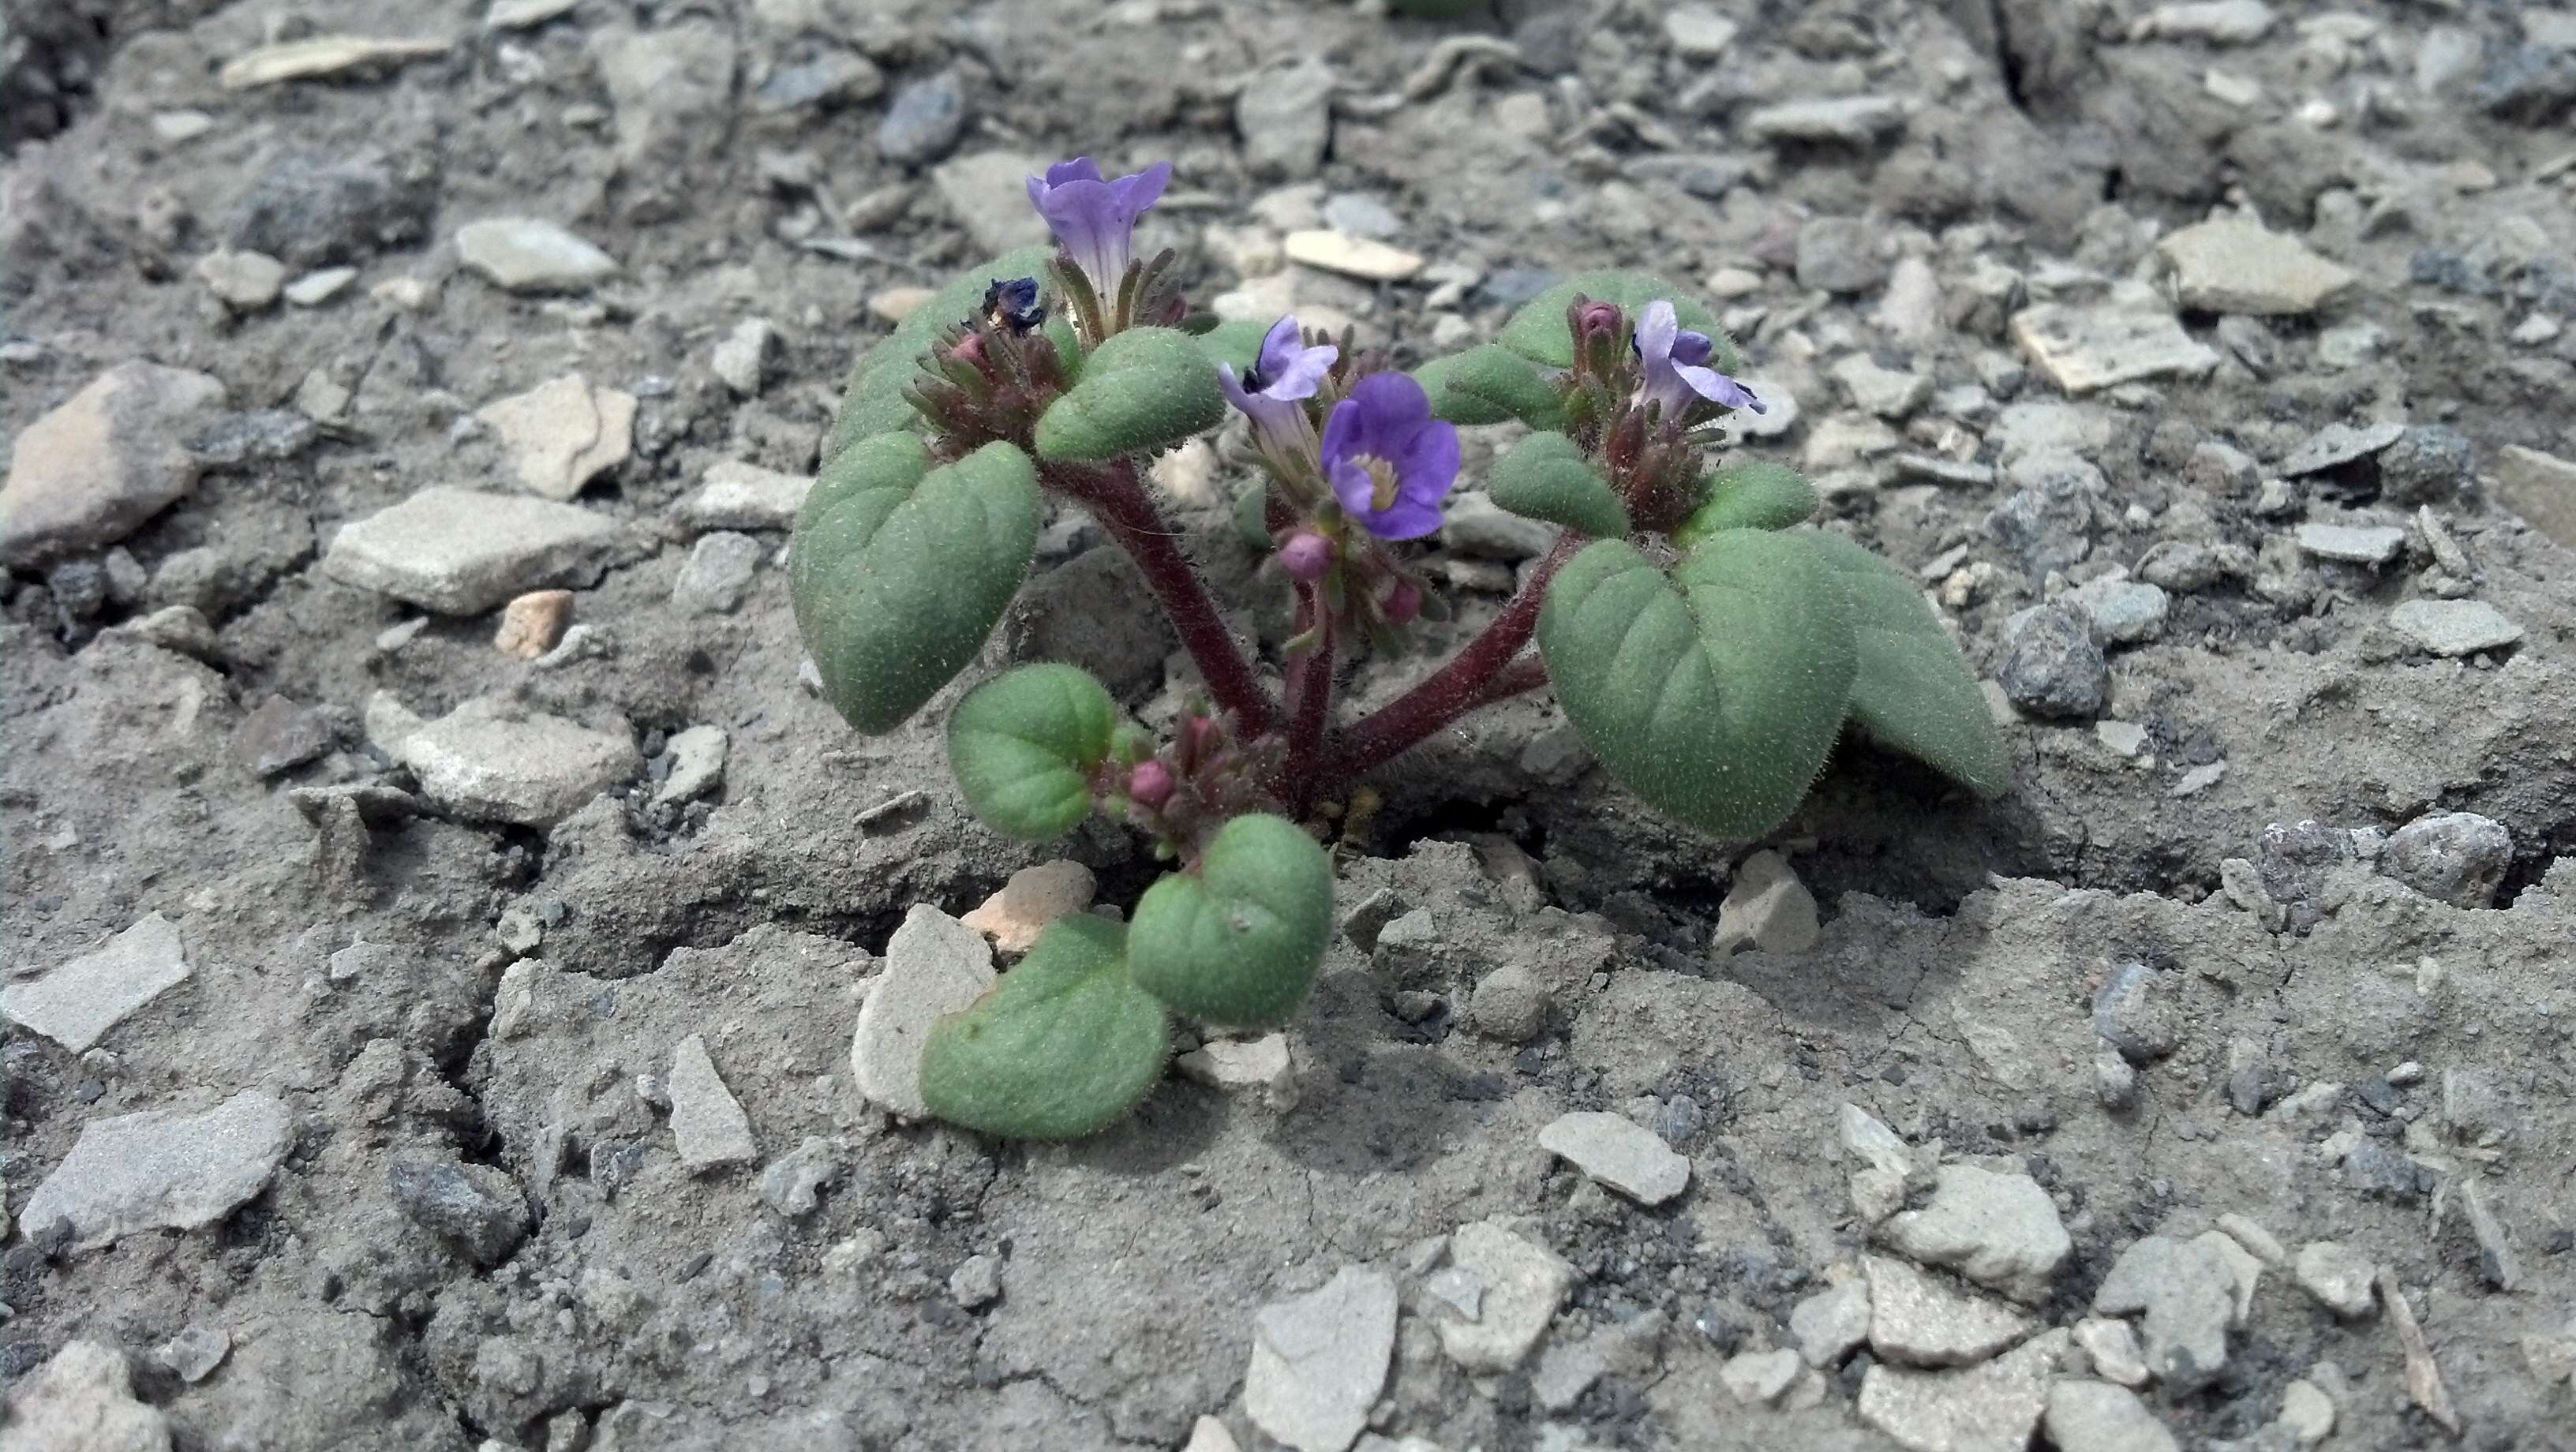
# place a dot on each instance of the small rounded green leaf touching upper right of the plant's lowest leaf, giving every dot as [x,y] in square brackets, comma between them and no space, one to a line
[1238,941]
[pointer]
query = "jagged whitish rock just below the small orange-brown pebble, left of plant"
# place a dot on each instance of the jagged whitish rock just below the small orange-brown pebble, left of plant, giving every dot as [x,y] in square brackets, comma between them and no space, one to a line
[491,761]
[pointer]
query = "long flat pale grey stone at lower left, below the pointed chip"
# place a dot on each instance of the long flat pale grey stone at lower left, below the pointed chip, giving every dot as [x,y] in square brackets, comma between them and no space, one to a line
[164,1170]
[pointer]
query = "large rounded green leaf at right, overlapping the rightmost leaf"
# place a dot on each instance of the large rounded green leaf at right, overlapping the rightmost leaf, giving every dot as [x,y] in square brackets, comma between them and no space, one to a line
[1714,691]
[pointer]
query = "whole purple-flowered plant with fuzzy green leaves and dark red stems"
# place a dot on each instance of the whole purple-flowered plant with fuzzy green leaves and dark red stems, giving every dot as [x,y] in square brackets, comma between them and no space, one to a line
[1704,647]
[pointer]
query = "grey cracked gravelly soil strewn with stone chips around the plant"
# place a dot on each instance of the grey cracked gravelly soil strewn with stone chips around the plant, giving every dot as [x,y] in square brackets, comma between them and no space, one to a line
[439,915]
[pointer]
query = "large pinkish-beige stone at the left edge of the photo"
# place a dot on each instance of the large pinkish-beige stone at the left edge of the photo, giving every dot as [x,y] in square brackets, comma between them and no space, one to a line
[104,462]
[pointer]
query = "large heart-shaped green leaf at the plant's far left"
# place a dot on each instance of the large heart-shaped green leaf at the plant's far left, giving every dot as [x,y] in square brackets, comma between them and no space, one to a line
[900,570]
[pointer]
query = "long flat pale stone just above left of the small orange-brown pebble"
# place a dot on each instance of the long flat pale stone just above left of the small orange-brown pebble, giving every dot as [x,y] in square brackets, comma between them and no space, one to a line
[462,552]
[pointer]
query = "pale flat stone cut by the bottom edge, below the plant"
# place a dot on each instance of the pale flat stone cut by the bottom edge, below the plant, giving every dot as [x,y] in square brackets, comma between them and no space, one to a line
[1320,1361]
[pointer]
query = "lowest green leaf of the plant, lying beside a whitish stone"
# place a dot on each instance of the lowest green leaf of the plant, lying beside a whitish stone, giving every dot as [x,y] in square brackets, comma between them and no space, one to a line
[1060,1049]
